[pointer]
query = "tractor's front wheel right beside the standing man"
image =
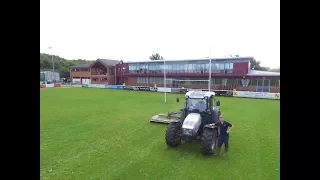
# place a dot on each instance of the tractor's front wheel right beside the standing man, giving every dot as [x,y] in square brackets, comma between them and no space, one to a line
[208,141]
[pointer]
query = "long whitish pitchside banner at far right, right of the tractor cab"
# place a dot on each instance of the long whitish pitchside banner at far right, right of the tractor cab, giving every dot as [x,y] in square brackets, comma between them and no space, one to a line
[260,95]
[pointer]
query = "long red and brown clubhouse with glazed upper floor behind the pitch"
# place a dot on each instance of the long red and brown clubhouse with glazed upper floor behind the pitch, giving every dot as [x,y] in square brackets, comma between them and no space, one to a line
[226,73]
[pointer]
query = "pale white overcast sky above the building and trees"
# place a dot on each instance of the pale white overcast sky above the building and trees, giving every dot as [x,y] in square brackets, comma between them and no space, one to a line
[176,29]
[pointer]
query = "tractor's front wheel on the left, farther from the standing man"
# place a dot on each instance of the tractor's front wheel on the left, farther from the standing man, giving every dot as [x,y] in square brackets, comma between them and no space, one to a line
[173,134]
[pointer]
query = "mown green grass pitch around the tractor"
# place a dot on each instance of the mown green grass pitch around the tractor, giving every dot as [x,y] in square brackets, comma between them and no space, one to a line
[106,134]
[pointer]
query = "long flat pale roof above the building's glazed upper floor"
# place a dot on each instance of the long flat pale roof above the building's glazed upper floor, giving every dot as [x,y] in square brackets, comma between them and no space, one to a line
[201,59]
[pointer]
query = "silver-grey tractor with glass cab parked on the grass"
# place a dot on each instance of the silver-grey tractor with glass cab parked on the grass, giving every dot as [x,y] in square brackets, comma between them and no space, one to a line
[193,124]
